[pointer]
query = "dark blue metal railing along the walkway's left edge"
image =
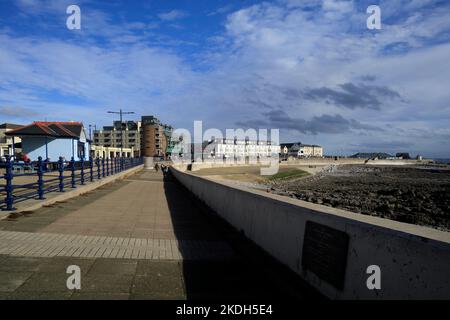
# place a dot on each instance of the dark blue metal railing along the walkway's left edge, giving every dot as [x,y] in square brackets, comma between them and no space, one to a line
[46,176]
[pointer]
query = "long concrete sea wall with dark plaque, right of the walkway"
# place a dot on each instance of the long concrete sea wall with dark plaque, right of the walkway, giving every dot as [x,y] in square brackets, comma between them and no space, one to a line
[334,250]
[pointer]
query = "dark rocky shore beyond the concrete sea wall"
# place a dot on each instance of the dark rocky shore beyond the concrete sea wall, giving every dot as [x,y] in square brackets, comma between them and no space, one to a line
[417,195]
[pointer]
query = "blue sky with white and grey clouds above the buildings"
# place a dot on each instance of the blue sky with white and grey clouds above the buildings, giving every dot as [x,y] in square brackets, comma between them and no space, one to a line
[310,68]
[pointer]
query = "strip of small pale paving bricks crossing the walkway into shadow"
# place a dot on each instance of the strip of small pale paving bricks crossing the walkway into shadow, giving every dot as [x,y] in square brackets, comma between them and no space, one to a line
[28,244]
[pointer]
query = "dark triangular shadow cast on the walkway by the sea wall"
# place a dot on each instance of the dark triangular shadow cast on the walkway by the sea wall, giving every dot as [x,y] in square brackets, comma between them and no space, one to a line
[247,275]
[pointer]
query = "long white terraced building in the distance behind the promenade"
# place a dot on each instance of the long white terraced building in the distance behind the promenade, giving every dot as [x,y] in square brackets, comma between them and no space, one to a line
[239,149]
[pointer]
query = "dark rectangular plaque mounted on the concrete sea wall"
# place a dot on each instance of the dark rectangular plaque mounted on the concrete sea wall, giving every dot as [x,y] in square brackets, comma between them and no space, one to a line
[325,253]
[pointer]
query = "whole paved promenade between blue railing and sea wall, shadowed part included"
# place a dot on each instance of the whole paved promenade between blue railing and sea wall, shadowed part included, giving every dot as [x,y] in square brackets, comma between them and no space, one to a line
[140,238]
